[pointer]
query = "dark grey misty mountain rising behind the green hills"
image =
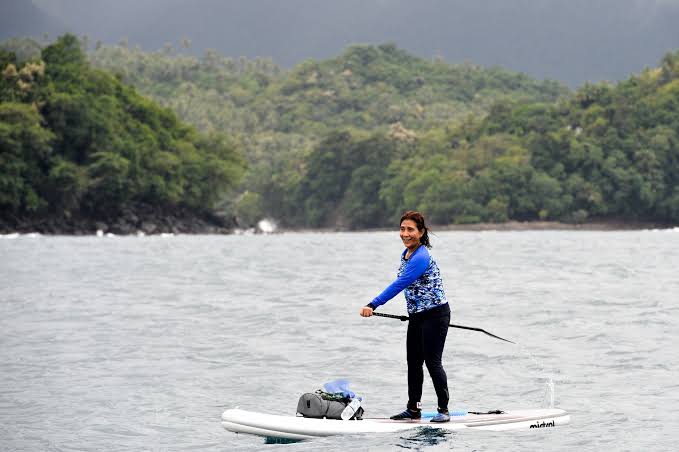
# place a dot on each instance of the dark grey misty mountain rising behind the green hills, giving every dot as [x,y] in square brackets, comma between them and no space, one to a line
[569,40]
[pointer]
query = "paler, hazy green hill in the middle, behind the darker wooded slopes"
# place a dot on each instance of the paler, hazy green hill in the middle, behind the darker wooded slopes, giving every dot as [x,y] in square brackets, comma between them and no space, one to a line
[280,116]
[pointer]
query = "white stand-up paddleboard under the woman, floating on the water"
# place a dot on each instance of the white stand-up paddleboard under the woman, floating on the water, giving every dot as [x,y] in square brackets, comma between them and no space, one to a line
[300,428]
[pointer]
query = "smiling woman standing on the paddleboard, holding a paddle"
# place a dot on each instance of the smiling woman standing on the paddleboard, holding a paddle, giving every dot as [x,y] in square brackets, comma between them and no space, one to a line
[429,314]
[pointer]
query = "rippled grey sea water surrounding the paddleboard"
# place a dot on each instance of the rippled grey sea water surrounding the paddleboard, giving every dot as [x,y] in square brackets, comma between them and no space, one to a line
[140,343]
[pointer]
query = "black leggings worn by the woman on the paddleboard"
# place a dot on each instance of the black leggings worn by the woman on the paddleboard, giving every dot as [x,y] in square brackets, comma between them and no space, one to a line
[424,344]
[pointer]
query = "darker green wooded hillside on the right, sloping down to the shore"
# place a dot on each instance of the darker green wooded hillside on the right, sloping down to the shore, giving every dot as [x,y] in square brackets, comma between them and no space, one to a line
[607,152]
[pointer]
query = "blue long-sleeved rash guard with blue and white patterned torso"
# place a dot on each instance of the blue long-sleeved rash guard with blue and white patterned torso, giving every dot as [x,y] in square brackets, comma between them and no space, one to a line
[420,279]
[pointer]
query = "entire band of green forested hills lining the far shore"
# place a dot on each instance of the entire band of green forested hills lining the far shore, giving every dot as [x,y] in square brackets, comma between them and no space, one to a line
[120,141]
